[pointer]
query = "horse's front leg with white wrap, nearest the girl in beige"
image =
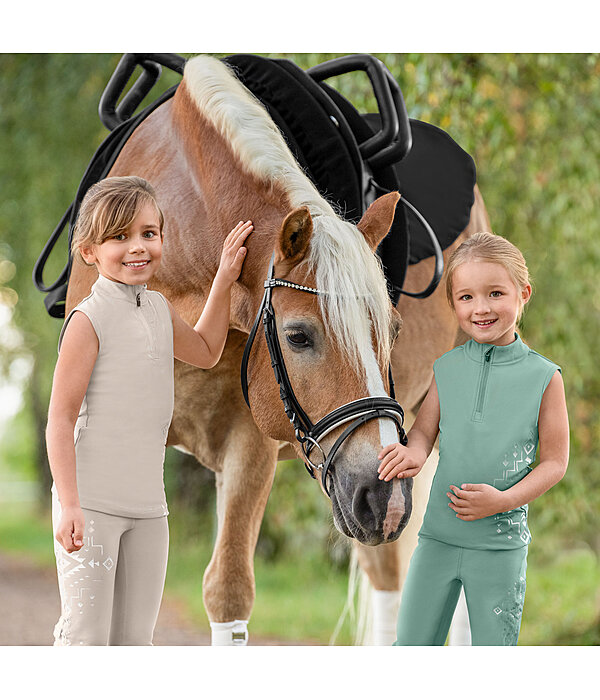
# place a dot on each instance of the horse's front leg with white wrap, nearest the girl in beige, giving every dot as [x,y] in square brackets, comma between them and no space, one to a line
[243,487]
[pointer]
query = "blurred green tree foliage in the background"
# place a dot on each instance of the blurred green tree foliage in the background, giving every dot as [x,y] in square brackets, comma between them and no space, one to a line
[530,121]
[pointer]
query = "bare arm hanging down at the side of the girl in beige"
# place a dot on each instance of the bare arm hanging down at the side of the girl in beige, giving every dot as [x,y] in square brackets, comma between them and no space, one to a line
[78,353]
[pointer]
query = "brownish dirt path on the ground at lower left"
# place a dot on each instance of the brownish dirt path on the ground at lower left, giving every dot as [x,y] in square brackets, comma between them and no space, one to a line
[30,607]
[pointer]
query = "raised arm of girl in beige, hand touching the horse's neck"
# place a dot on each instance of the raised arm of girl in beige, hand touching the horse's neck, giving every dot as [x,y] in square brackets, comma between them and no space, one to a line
[202,346]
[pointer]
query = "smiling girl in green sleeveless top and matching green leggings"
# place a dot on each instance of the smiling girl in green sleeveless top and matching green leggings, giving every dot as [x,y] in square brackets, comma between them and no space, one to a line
[491,401]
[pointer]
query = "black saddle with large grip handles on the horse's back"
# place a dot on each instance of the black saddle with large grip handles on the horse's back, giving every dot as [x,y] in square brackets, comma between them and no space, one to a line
[351,158]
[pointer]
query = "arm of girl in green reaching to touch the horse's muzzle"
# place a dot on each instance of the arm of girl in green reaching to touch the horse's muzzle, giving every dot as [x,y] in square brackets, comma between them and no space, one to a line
[398,460]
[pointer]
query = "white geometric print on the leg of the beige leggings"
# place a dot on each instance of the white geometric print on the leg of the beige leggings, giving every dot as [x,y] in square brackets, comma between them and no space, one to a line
[79,575]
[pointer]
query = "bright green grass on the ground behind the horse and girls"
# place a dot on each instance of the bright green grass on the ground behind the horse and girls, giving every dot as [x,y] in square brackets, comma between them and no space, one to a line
[302,599]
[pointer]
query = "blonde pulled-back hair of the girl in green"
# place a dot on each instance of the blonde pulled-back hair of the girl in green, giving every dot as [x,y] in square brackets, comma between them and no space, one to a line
[489,247]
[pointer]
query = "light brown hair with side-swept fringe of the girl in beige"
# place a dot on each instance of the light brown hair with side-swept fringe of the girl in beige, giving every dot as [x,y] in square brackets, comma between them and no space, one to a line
[109,207]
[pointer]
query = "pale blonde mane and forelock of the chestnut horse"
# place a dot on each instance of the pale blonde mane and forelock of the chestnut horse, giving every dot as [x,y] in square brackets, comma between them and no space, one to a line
[356,301]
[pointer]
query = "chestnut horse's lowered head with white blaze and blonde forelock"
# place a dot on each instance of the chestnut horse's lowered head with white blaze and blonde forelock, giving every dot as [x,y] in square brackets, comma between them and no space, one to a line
[335,350]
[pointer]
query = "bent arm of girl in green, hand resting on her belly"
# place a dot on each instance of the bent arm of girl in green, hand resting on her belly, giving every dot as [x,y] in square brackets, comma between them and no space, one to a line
[473,501]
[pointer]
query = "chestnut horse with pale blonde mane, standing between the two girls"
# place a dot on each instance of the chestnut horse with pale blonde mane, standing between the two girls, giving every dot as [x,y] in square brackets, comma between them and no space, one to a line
[215,157]
